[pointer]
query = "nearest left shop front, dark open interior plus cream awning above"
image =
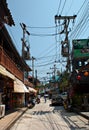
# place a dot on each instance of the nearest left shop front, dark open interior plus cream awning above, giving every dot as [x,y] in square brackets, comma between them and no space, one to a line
[6,88]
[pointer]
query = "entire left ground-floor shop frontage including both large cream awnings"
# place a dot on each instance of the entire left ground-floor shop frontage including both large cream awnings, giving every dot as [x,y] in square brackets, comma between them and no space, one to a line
[13,92]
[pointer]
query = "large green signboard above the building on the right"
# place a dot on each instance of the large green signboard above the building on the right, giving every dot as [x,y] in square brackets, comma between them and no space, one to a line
[80,48]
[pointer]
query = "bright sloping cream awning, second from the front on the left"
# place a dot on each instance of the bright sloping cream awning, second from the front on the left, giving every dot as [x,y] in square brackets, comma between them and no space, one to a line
[19,87]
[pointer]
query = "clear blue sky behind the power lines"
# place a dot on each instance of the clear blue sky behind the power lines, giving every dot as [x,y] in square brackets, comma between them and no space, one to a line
[39,18]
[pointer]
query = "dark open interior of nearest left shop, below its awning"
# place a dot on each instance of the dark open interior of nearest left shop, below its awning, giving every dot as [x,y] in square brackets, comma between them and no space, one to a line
[6,88]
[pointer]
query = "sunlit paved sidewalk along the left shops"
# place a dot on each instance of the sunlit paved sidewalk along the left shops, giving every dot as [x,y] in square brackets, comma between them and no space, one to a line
[10,118]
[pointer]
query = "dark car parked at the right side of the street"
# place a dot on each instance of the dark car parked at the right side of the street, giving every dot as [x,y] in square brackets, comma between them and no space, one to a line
[55,101]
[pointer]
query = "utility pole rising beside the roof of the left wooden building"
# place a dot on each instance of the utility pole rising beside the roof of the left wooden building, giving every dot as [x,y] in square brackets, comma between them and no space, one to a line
[23,26]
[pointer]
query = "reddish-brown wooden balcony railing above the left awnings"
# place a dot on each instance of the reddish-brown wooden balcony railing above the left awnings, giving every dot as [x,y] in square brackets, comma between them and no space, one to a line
[6,61]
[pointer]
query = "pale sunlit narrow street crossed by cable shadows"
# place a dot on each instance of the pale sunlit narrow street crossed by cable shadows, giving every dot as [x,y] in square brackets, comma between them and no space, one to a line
[46,117]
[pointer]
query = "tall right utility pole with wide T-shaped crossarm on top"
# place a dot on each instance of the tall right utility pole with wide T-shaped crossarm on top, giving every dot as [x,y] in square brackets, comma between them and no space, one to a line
[66,24]
